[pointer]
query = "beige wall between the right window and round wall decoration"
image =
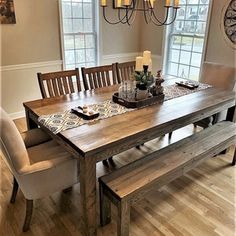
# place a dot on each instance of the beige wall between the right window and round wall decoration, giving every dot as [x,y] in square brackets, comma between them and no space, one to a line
[218,50]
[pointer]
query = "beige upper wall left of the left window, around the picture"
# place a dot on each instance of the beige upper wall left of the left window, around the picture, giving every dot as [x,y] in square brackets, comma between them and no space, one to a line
[35,36]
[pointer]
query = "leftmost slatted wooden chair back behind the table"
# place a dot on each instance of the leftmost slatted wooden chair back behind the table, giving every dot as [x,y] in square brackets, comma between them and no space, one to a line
[59,83]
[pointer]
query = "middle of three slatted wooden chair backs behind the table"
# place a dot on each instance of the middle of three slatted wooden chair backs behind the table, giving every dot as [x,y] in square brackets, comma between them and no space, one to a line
[99,76]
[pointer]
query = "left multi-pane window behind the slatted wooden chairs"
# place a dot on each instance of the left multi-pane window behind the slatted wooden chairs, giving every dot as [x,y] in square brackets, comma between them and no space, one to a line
[79,34]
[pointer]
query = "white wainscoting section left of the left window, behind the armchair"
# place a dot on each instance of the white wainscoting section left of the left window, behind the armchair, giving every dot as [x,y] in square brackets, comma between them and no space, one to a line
[19,84]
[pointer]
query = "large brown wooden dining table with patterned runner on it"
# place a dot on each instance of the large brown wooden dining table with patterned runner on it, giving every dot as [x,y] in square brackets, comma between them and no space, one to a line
[95,141]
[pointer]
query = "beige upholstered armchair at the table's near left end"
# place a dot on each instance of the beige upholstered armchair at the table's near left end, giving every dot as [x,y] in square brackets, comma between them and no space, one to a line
[39,165]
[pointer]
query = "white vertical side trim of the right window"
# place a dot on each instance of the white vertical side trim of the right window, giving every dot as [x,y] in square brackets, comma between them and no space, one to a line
[166,38]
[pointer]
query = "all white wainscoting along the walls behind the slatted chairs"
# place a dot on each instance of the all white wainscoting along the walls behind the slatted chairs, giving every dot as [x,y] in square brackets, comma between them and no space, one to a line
[19,83]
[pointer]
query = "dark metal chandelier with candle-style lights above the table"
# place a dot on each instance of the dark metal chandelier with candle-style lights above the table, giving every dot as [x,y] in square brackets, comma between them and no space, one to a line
[127,10]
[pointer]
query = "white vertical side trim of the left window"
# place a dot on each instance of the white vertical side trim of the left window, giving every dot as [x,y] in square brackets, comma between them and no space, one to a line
[97,39]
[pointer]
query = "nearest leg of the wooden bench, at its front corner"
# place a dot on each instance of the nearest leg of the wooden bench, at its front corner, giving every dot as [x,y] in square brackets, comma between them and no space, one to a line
[123,219]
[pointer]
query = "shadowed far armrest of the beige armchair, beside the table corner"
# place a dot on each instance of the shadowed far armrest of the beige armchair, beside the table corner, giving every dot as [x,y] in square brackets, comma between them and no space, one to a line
[34,137]
